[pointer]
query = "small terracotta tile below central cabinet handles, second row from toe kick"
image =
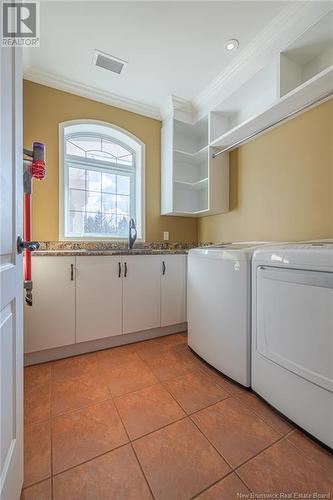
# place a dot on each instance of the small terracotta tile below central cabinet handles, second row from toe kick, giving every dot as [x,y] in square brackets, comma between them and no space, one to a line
[128,377]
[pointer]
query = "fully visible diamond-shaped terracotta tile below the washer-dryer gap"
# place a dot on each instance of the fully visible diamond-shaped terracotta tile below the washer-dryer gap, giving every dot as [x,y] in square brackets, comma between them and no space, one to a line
[234,430]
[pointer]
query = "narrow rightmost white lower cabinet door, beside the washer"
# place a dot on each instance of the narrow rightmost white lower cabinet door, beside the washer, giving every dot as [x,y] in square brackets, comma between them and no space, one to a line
[173,289]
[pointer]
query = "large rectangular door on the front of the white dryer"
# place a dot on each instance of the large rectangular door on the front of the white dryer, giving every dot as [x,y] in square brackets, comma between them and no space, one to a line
[295,322]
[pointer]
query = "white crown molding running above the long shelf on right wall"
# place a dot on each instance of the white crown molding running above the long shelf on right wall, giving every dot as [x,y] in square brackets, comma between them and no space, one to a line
[288,25]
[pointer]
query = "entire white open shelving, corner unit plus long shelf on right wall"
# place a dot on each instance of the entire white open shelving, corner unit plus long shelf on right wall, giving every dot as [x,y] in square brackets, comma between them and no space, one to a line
[193,183]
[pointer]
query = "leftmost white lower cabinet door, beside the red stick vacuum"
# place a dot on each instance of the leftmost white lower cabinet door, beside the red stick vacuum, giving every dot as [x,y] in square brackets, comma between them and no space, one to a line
[50,322]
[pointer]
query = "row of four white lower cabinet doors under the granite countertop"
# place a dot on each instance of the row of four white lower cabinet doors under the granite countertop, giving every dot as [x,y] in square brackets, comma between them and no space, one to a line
[79,299]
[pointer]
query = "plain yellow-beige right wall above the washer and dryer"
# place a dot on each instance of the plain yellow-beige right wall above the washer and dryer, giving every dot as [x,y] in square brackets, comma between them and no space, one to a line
[281,184]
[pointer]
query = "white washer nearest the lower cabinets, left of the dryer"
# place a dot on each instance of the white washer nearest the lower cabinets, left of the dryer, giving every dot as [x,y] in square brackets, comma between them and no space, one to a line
[219,305]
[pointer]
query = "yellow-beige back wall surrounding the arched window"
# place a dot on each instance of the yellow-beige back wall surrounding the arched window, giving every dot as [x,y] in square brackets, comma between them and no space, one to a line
[44,109]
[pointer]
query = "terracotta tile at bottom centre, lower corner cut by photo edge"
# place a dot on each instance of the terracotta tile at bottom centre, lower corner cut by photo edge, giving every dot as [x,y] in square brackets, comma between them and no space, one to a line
[178,461]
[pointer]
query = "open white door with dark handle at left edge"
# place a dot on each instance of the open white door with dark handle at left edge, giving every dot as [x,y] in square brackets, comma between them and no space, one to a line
[11,276]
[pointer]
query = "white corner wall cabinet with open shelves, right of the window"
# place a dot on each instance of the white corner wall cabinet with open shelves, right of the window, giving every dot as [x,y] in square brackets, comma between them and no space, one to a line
[193,183]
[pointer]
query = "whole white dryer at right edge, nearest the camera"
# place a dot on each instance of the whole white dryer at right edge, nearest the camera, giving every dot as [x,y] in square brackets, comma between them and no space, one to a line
[292,333]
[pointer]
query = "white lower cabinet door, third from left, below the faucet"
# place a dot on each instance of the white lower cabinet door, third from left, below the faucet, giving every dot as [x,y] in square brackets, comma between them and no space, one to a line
[141,292]
